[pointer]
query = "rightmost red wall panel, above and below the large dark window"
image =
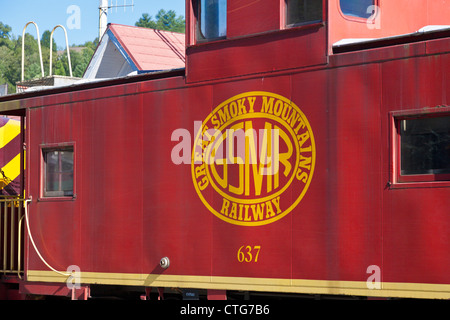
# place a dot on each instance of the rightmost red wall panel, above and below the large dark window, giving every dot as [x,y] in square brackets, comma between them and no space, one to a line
[415,219]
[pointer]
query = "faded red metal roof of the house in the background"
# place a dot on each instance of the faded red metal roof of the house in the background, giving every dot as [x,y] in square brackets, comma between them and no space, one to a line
[151,49]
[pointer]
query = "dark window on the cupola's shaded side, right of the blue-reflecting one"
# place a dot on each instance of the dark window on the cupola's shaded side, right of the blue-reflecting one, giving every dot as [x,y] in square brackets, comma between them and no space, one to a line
[299,12]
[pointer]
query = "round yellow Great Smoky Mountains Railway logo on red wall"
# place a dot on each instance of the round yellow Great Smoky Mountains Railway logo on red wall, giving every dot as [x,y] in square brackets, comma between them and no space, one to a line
[253,158]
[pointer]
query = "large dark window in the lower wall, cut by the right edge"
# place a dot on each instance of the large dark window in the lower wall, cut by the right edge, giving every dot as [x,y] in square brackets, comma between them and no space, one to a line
[424,148]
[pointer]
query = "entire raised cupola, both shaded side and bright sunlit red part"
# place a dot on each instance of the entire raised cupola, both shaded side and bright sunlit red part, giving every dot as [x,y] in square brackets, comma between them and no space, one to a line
[257,36]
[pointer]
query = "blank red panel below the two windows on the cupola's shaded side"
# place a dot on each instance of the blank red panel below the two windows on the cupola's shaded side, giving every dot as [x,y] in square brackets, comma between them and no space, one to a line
[293,48]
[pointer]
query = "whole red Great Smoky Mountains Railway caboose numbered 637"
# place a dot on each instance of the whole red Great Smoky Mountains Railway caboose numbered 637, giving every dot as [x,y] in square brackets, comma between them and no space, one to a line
[279,161]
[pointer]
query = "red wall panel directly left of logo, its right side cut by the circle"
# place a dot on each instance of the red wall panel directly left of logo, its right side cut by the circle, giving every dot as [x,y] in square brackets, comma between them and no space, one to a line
[175,224]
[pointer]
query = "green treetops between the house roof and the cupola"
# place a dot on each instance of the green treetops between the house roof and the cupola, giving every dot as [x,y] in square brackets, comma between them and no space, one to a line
[165,20]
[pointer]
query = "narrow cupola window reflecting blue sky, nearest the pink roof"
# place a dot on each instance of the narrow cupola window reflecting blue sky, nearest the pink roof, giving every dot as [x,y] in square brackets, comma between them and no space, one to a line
[212,19]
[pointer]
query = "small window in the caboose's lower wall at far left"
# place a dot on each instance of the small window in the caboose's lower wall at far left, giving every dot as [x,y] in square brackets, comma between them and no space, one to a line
[58,172]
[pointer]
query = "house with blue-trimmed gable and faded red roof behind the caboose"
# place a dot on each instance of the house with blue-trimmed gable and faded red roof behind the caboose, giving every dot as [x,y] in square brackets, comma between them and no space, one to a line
[127,50]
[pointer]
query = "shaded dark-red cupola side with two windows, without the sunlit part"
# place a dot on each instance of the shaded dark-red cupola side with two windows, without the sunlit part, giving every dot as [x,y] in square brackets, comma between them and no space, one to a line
[237,38]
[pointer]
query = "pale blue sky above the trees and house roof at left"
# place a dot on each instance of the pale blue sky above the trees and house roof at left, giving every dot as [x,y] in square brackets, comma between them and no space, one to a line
[79,17]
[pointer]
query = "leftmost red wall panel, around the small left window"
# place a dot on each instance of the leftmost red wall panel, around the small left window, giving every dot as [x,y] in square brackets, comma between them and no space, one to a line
[53,224]
